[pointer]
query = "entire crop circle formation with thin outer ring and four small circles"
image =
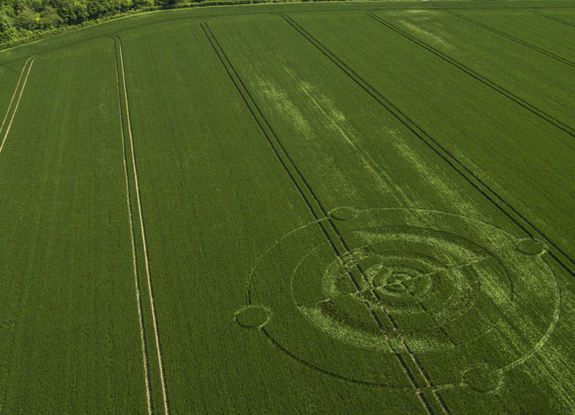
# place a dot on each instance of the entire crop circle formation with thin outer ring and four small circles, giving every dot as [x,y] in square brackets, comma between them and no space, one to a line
[355,293]
